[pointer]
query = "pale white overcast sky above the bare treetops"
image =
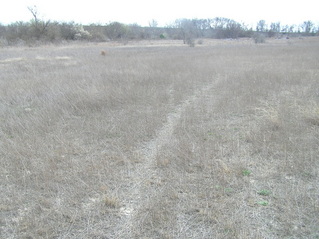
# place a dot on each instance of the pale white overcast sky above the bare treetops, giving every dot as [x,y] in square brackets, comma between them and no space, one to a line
[163,11]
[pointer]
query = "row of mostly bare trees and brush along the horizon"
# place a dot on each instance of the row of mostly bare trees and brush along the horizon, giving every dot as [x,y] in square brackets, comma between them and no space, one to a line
[38,31]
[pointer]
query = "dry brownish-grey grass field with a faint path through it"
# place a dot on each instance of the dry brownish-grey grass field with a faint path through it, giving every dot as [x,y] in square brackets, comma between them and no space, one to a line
[159,140]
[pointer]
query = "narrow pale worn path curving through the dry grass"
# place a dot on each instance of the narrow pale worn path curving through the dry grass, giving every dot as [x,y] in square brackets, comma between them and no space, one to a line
[139,193]
